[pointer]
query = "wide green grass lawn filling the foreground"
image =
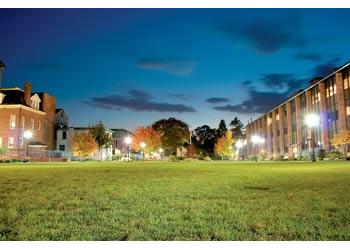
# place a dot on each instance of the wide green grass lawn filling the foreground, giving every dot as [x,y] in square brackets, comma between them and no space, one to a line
[175,201]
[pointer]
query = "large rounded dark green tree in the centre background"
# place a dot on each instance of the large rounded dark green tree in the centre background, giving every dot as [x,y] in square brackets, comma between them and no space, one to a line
[173,133]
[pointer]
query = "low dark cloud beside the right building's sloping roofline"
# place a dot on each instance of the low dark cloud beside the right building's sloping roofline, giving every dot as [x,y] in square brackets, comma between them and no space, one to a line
[258,102]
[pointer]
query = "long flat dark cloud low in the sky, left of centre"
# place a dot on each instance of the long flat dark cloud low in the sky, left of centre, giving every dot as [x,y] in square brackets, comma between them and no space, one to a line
[137,101]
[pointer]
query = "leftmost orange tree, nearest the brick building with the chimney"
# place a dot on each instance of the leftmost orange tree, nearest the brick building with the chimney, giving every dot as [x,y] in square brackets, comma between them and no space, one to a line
[83,144]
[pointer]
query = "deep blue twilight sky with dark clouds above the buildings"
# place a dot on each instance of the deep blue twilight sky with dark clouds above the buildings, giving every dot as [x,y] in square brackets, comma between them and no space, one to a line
[130,67]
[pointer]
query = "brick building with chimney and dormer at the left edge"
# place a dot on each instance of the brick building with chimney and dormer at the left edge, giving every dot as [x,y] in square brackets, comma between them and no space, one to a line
[24,110]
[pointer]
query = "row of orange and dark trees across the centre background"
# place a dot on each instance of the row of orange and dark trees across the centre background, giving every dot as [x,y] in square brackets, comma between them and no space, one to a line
[171,134]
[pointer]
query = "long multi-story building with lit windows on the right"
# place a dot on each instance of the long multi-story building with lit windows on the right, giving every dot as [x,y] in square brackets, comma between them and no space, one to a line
[284,131]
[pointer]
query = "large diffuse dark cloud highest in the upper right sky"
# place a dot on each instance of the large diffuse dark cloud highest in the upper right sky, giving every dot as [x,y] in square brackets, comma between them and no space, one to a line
[267,35]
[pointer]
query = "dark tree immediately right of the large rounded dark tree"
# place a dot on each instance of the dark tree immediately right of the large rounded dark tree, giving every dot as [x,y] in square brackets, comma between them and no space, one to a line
[204,139]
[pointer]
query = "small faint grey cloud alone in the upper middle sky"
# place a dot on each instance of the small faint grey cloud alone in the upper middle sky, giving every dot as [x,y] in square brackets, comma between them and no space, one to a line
[179,67]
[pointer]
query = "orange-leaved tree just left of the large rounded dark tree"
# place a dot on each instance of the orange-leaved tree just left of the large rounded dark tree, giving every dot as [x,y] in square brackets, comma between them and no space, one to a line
[147,135]
